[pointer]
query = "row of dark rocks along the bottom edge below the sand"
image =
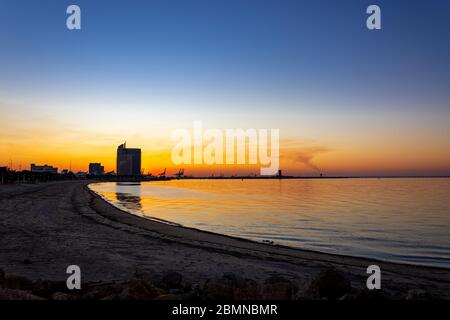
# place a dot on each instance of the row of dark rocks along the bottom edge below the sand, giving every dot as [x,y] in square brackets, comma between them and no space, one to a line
[328,284]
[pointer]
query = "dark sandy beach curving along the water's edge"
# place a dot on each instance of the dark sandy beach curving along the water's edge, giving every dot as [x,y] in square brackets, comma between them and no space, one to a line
[46,227]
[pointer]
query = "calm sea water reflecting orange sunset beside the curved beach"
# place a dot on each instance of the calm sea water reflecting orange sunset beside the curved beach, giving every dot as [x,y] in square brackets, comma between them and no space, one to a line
[402,220]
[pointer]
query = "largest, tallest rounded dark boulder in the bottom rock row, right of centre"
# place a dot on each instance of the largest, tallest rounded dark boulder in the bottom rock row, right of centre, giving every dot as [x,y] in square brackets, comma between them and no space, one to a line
[329,284]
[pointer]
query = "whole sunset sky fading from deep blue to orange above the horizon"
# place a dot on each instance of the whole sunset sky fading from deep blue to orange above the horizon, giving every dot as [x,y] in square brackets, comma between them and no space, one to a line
[347,100]
